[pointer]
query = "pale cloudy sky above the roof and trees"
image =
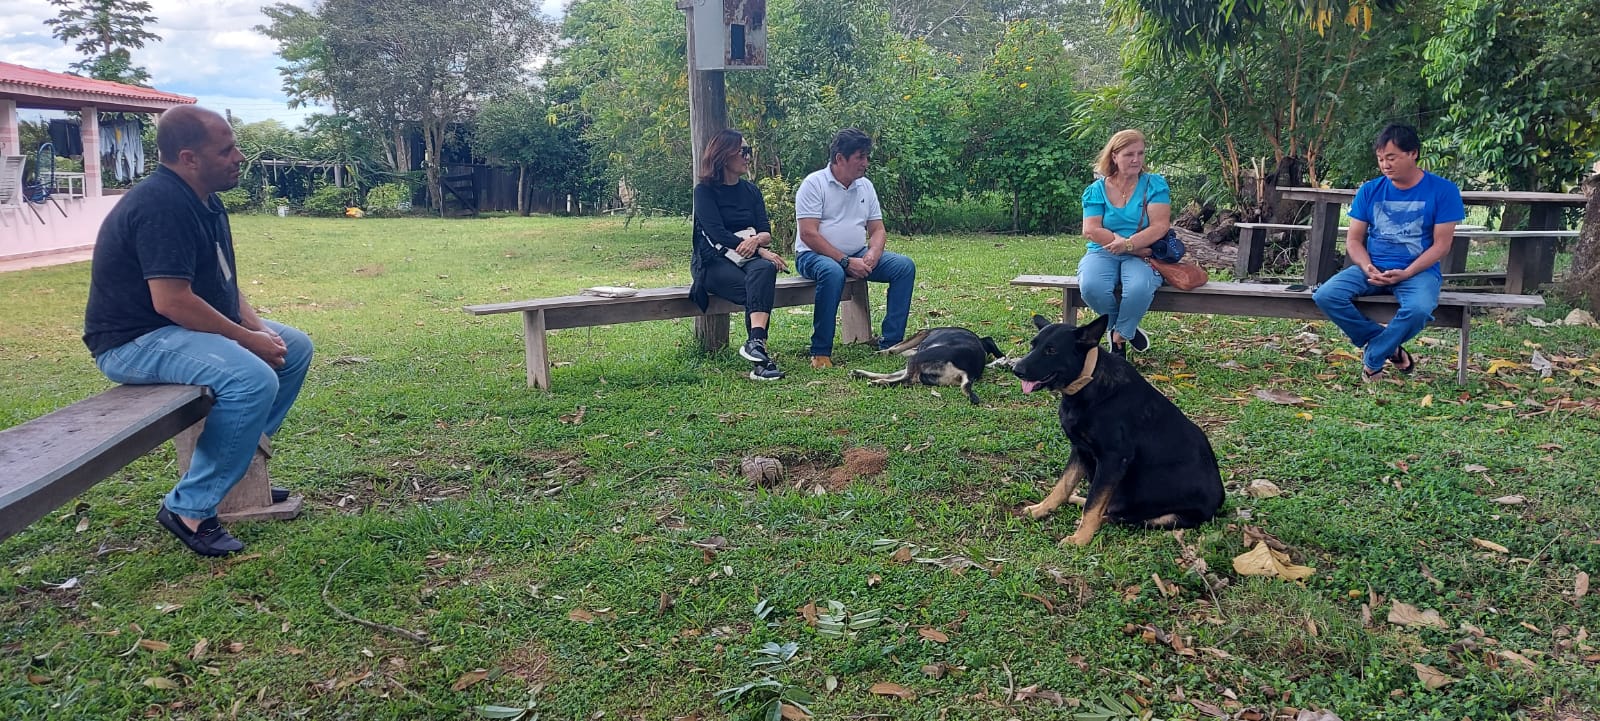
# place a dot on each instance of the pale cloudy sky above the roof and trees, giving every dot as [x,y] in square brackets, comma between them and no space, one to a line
[209,50]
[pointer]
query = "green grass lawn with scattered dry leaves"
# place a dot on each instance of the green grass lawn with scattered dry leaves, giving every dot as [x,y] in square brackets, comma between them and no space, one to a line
[599,544]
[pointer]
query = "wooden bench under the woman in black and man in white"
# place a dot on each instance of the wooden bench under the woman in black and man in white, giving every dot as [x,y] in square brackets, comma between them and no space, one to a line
[711,329]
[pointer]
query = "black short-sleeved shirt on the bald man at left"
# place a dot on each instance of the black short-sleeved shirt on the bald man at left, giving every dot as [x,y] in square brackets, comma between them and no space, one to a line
[159,231]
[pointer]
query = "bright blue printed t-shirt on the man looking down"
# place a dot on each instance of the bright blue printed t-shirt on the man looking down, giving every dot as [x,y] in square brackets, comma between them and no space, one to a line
[1401,223]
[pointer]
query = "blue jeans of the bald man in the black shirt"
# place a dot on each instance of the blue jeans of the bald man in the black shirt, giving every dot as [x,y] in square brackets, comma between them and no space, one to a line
[252,399]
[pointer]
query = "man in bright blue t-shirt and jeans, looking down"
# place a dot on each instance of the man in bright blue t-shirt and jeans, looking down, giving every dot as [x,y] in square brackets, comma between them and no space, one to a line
[1401,228]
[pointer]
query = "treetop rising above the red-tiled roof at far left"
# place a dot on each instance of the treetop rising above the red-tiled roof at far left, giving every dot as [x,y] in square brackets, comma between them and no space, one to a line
[106,31]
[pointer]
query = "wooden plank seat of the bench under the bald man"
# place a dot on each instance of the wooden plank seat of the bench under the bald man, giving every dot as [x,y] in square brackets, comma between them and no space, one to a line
[55,458]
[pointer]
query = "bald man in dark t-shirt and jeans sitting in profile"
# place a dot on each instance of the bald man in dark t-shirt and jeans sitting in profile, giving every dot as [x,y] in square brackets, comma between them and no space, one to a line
[166,309]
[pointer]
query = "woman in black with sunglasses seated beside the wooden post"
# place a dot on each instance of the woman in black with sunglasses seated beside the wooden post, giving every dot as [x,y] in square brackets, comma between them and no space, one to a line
[732,257]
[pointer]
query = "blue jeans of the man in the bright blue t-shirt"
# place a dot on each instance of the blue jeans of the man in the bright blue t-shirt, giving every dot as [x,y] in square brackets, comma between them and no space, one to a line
[1418,298]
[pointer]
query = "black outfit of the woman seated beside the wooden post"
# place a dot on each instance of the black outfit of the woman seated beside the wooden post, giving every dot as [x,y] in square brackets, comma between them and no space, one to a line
[719,212]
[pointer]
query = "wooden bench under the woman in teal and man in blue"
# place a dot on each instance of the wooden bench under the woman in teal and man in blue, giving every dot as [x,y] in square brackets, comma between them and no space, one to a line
[1278,301]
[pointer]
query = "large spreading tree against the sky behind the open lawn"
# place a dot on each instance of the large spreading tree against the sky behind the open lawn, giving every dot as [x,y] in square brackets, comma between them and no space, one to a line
[391,65]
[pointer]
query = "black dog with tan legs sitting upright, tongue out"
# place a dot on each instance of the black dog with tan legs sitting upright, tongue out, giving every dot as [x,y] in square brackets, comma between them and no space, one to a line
[1146,463]
